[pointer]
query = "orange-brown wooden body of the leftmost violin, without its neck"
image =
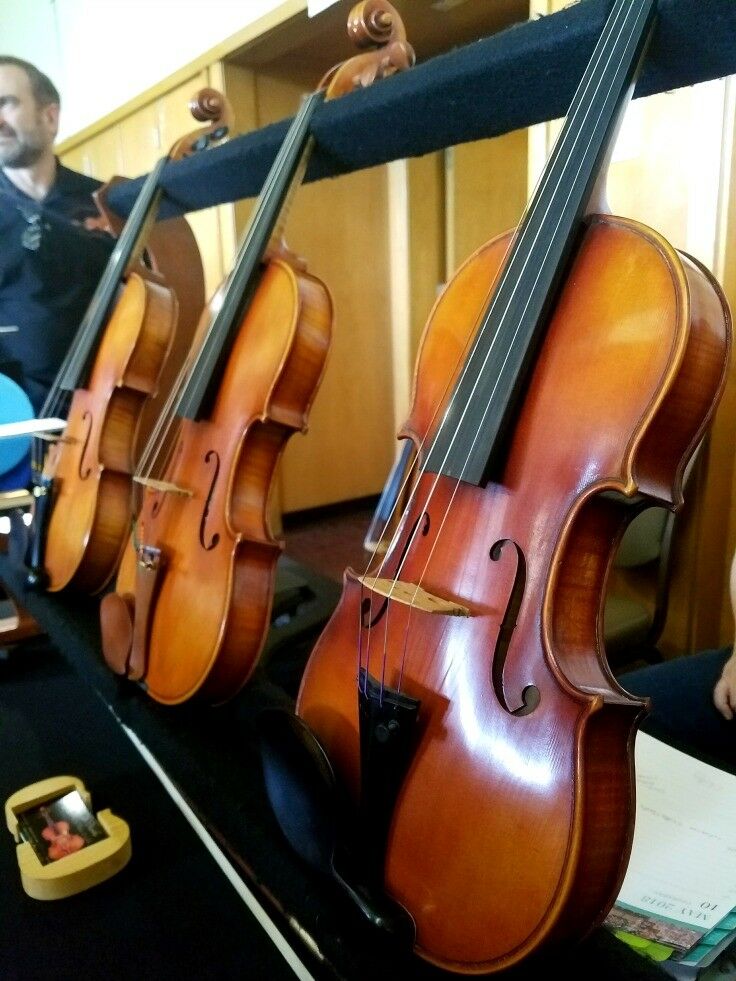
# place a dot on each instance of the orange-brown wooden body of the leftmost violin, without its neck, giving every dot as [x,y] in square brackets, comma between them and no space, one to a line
[93,463]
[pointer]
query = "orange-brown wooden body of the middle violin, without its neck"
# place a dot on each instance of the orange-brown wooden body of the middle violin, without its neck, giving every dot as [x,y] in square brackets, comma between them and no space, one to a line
[210,611]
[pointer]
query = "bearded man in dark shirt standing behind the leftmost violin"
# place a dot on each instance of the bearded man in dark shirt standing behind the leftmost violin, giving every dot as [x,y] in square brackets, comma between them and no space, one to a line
[50,262]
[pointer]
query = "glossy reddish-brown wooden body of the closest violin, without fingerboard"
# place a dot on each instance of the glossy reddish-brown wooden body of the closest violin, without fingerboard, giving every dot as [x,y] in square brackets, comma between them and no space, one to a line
[513,822]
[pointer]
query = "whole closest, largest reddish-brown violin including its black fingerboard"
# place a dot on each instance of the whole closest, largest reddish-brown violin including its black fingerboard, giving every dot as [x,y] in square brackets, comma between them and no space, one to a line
[460,695]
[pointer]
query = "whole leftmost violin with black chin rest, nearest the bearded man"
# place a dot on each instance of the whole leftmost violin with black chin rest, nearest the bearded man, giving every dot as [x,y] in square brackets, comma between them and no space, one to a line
[82,485]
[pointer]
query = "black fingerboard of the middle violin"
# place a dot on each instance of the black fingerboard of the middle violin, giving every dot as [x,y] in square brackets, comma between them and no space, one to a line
[198,392]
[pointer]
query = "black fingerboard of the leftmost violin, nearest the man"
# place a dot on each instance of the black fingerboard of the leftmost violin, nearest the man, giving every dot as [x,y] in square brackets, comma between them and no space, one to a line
[127,252]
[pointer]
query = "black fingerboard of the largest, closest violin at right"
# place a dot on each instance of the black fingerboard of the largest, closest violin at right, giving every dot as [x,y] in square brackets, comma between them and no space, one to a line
[472,439]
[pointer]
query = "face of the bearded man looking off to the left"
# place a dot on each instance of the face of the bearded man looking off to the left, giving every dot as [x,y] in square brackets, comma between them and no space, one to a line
[27,130]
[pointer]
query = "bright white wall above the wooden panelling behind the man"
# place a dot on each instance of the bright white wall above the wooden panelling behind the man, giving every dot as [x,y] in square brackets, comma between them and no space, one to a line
[147,42]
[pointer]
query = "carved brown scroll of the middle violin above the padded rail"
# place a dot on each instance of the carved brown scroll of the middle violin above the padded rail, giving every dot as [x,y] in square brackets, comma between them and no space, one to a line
[374,25]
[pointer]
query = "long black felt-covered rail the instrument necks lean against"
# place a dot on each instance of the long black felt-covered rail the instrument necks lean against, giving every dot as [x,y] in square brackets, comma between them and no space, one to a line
[518,77]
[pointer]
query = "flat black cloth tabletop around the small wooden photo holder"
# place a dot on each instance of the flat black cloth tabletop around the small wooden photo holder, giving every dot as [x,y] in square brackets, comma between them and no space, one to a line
[170,912]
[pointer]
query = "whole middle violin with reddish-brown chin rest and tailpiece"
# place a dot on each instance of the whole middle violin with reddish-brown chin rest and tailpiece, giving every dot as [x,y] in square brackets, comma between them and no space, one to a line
[193,596]
